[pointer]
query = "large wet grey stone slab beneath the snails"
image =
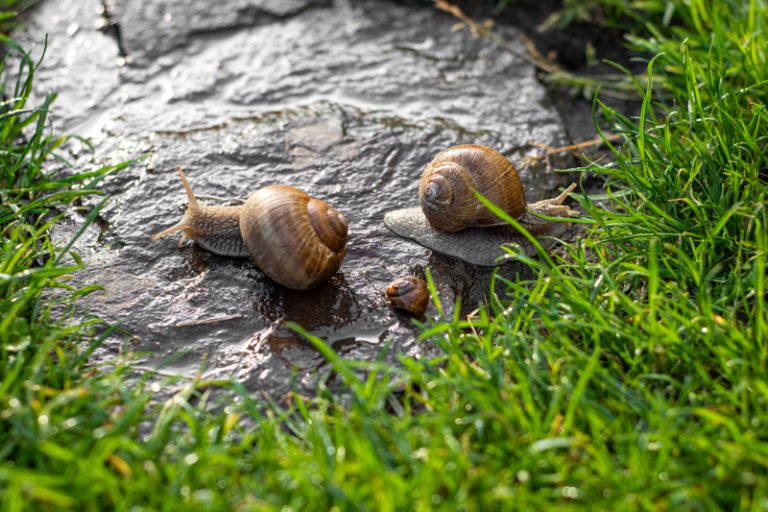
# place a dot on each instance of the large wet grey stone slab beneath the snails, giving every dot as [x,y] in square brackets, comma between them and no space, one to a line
[347,101]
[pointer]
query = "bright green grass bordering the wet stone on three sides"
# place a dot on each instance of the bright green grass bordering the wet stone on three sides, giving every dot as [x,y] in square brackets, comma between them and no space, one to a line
[629,374]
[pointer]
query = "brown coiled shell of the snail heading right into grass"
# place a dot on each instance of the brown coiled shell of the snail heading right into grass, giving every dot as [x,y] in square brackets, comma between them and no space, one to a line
[446,189]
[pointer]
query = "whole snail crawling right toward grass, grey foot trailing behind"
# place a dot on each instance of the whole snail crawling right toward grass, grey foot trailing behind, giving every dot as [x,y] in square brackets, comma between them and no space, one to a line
[452,221]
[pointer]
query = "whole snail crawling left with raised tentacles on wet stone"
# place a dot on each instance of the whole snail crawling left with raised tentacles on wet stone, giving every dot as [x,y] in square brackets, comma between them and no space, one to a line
[296,240]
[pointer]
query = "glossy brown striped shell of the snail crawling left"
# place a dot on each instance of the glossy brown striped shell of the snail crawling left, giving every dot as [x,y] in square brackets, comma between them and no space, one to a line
[296,240]
